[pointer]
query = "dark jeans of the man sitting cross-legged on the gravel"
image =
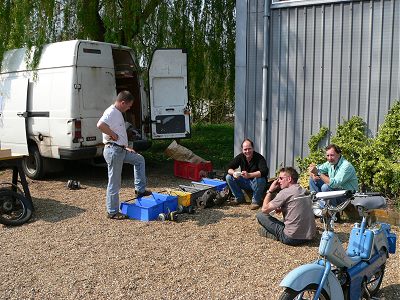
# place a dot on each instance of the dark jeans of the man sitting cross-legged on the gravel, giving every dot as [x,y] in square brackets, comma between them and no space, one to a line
[276,227]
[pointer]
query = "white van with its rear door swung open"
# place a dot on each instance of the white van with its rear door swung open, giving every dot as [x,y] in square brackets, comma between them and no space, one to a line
[50,113]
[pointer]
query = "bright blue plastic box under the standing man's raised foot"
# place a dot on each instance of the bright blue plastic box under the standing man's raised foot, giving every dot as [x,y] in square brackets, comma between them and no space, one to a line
[148,208]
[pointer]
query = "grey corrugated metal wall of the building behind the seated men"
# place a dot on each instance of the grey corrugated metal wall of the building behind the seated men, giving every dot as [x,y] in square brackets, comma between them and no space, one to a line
[327,63]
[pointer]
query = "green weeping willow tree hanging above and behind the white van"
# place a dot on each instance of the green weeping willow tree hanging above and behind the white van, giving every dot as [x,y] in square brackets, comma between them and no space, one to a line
[205,28]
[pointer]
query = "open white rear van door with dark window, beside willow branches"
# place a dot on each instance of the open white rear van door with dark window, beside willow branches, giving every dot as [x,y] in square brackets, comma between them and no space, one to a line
[169,110]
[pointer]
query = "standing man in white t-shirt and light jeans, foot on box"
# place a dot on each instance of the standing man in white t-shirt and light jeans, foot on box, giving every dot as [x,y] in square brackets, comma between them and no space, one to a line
[116,153]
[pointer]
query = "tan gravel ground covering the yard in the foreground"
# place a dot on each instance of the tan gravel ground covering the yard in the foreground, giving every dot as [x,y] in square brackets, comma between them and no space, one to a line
[70,250]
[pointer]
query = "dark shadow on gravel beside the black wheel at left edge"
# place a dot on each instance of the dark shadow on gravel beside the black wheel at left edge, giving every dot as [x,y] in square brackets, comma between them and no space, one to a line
[53,211]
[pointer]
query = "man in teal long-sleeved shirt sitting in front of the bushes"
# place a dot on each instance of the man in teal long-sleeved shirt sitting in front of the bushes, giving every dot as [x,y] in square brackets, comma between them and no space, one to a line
[335,174]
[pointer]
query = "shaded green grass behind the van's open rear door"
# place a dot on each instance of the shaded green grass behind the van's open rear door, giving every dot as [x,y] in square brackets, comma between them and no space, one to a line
[212,142]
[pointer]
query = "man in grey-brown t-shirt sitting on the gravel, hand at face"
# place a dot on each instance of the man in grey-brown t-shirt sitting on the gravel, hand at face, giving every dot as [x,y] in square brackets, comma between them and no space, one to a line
[298,226]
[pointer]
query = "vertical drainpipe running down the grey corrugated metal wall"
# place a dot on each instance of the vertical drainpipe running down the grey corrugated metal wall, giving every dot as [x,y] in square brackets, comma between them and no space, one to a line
[264,95]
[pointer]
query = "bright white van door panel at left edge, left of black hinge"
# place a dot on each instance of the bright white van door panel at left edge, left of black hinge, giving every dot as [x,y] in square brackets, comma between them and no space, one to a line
[13,104]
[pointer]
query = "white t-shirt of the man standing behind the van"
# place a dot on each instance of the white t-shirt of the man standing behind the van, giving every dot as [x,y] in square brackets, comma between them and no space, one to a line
[115,120]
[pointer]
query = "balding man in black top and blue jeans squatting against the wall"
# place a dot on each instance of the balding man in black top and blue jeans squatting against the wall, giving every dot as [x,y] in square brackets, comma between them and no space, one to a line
[252,176]
